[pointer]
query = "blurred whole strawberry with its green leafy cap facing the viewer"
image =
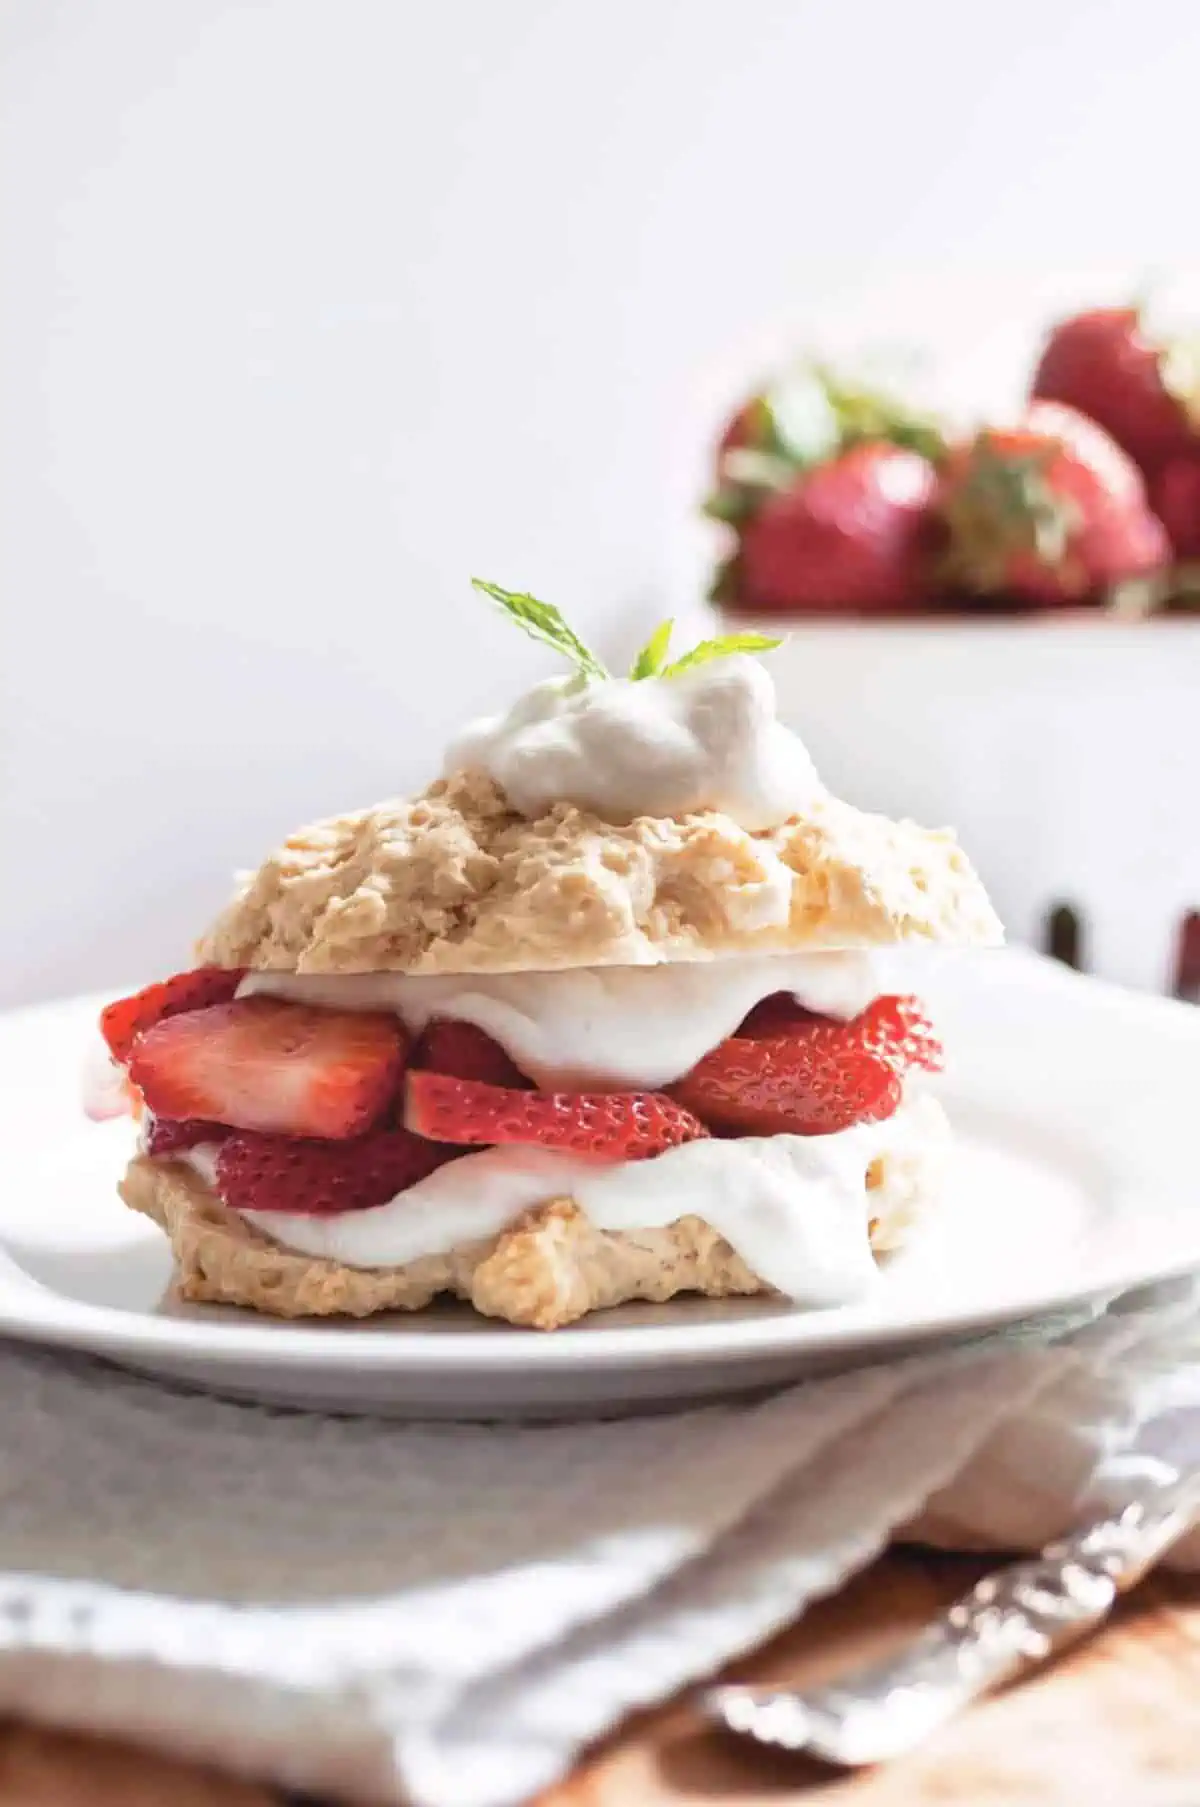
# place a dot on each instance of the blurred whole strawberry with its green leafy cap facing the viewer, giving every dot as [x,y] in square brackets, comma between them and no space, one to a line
[1047,512]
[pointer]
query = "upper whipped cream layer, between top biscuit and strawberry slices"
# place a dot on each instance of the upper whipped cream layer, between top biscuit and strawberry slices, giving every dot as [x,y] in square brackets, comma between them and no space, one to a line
[597,1025]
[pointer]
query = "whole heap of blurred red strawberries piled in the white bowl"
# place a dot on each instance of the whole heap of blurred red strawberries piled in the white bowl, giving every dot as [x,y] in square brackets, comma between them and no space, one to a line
[845,501]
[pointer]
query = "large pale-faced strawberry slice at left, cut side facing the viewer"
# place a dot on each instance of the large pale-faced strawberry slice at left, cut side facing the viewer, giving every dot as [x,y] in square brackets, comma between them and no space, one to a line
[274,1067]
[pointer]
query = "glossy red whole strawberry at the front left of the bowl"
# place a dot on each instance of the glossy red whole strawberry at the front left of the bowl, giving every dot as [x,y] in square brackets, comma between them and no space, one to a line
[847,538]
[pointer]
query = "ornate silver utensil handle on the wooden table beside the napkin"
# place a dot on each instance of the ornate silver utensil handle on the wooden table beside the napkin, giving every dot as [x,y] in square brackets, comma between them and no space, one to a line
[1009,1624]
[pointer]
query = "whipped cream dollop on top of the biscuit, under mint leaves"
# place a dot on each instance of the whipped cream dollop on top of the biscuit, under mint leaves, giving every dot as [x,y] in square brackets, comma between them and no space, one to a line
[708,740]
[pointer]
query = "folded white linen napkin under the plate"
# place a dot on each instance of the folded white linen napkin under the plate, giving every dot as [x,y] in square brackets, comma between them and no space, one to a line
[447,1615]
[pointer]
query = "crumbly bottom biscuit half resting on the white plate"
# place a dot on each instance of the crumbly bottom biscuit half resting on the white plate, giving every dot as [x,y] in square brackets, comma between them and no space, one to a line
[548,1269]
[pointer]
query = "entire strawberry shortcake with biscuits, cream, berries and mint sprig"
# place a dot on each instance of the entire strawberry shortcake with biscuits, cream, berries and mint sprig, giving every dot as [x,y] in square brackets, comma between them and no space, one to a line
[595,1018]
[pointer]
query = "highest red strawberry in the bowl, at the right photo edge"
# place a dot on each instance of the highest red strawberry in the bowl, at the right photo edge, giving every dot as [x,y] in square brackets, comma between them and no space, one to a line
[1141,391]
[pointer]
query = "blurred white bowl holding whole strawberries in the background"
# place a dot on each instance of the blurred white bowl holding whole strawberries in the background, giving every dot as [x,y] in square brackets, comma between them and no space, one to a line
[1064,749]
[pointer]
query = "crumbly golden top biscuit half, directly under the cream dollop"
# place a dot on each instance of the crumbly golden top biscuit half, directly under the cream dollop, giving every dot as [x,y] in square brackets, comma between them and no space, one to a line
[458,883]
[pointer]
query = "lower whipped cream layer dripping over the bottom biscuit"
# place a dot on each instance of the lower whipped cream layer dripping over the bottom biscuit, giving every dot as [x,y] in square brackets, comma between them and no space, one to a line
[792,1208]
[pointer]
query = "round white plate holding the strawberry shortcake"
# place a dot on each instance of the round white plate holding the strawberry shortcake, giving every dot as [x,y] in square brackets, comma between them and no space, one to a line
[1073,1179]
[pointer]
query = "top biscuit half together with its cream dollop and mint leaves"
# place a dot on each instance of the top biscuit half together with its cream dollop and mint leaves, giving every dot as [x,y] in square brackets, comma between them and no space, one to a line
[536,852]
